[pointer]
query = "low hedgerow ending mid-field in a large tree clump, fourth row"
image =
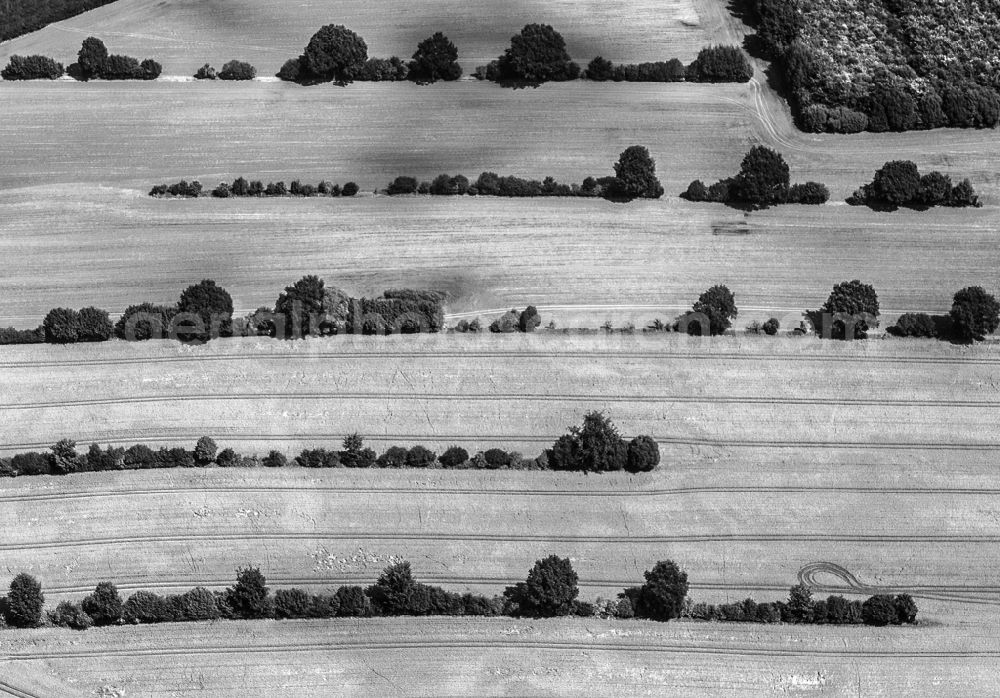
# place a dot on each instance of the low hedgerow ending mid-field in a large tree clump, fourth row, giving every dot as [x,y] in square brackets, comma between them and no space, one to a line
[596,446]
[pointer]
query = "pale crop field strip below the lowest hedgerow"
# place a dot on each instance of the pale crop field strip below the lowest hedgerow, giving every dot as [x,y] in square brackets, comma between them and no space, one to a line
[505,656]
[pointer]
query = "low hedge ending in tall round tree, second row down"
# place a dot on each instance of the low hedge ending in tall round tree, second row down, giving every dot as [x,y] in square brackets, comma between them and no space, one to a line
[634,178]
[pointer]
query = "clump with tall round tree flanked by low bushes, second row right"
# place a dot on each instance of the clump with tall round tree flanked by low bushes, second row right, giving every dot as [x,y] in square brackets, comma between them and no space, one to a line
[763,181]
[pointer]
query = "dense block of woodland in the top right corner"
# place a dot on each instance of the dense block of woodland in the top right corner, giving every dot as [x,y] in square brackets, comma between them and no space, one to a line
[886,67]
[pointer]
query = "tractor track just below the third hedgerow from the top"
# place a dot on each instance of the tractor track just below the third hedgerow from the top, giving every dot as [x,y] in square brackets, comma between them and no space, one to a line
[547,355]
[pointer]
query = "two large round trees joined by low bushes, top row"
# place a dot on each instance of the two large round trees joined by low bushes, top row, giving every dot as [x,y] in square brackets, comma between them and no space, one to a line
[337,54]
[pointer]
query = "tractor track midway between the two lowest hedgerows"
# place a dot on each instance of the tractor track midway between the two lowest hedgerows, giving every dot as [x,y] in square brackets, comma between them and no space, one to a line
[354,536]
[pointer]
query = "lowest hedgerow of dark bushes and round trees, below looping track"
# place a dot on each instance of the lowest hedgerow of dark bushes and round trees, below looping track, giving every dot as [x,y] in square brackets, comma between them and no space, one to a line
[550,590]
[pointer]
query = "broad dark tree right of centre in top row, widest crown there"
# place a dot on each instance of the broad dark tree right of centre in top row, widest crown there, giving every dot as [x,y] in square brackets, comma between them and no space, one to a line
[536,55]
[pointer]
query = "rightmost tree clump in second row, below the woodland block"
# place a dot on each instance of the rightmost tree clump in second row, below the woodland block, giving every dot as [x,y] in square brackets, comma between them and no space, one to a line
[899,183]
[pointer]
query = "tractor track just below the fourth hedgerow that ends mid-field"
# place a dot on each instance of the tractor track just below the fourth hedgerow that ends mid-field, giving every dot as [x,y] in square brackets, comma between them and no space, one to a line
[32,496]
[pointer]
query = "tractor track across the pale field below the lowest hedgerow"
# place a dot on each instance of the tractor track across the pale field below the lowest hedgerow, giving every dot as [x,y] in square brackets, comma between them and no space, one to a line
[464,644]
